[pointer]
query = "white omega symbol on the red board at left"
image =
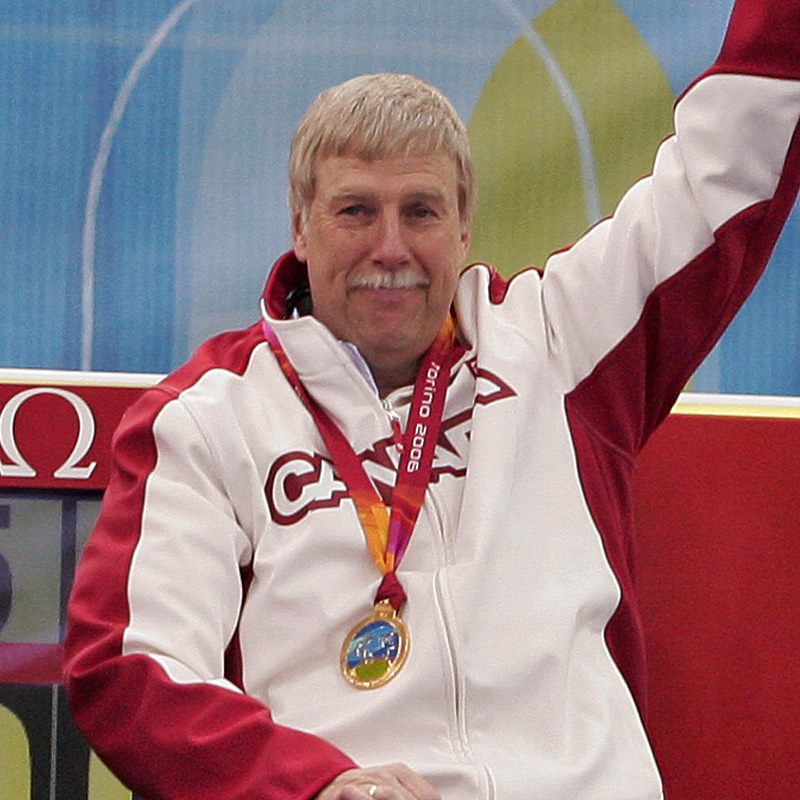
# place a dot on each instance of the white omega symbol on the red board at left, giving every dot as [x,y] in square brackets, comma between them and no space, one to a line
[69,470]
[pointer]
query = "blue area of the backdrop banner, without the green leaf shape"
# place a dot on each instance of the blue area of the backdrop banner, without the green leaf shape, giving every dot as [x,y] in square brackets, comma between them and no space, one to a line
[198,100]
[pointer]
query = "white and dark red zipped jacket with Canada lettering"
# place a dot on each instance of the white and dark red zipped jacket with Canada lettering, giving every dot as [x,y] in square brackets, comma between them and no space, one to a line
[228,563]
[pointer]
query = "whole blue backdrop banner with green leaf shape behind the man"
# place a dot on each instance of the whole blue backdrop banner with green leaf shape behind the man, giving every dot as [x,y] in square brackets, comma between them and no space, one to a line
[143,147]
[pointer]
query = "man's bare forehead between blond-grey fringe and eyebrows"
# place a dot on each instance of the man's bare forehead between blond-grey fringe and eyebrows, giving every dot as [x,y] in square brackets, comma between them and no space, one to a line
[428,173]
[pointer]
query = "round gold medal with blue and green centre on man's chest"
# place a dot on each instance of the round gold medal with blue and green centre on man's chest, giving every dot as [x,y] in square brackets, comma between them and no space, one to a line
[375,649]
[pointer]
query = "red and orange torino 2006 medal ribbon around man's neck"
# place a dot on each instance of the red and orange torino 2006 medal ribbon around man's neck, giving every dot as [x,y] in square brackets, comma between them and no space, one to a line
[388,537]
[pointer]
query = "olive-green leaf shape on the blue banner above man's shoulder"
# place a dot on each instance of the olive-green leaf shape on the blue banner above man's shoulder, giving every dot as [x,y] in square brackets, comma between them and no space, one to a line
[527,158]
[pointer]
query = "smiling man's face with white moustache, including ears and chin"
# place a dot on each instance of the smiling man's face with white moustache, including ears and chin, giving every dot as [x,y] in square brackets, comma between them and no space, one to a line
[384,243]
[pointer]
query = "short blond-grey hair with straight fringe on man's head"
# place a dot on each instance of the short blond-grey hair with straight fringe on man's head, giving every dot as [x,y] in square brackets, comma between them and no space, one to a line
[379,116]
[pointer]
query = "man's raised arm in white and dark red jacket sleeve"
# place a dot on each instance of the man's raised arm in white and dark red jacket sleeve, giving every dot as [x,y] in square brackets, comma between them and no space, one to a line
[633,307]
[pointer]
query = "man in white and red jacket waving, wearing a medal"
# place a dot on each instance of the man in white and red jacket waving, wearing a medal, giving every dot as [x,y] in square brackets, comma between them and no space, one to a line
[391,521]
